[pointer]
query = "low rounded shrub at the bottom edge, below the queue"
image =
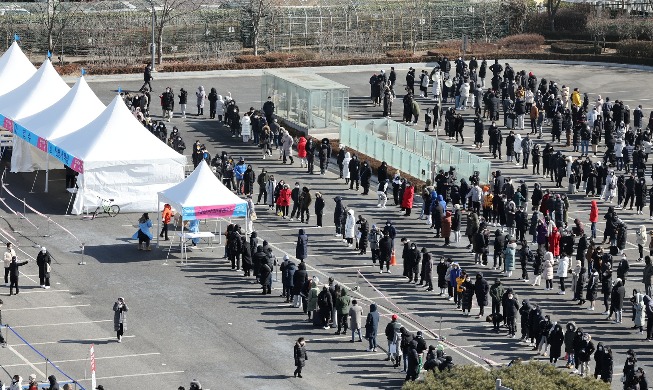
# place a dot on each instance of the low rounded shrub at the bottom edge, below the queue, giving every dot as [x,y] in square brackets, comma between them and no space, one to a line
[517,376]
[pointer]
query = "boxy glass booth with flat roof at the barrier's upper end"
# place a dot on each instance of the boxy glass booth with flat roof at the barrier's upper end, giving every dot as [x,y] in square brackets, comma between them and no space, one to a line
[307,101]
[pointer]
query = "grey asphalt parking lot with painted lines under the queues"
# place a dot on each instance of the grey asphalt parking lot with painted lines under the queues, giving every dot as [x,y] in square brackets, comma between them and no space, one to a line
[202,320]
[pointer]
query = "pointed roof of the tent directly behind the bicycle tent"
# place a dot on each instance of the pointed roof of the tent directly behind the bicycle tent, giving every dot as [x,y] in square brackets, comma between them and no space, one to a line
[76,109]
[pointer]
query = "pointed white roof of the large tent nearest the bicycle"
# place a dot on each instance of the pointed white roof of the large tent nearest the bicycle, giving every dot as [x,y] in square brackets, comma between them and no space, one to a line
[116,137]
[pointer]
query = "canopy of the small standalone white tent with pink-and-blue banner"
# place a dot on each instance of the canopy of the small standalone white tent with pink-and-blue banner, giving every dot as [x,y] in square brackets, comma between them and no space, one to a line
[201,195]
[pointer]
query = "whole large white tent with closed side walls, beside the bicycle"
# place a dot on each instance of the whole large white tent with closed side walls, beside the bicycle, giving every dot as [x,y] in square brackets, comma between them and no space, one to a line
[120,159]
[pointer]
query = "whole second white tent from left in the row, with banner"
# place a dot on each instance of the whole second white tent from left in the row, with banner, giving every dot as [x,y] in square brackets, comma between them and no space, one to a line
[41,91]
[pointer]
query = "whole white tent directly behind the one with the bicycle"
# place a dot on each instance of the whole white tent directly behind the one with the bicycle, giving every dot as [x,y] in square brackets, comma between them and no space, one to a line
[76,109]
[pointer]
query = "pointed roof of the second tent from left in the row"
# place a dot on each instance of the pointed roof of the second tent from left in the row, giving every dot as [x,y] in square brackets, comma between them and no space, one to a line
[41,91]
